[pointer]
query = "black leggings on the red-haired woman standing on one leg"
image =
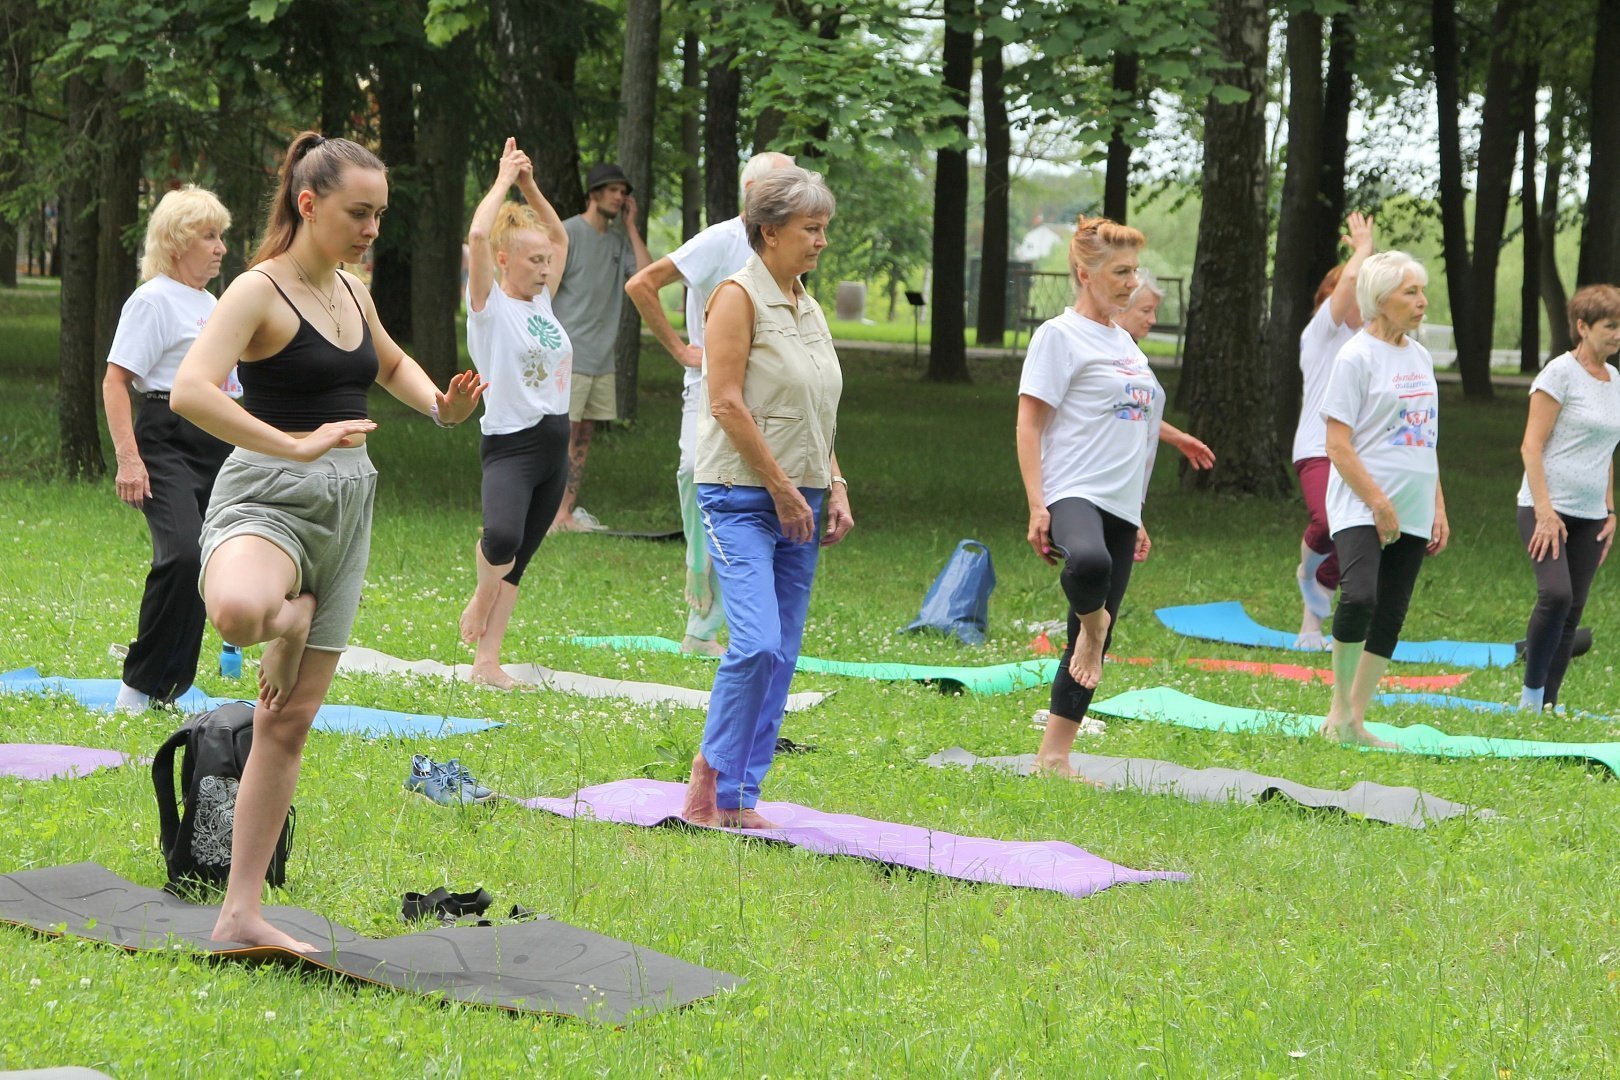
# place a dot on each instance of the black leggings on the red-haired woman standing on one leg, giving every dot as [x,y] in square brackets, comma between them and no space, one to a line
[1099,551]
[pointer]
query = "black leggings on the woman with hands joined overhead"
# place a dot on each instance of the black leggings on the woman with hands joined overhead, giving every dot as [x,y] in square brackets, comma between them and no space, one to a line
[524,478]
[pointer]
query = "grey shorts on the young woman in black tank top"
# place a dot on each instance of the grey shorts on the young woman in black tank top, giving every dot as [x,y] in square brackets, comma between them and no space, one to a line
[318,512]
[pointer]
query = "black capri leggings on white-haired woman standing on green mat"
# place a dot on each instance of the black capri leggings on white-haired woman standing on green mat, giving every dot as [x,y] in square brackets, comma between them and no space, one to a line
[1375,587]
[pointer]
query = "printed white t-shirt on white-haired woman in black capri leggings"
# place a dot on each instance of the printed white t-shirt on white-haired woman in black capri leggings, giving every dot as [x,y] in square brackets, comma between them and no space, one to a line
[1389,399]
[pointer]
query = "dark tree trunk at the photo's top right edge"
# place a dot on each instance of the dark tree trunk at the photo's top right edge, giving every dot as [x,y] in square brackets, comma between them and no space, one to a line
[1601,231]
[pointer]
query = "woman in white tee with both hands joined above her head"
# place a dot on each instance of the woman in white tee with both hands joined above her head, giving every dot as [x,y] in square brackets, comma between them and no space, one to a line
[524,352]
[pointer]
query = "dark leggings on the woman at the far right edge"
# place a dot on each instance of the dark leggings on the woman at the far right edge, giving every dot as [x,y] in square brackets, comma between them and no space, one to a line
[1561,598]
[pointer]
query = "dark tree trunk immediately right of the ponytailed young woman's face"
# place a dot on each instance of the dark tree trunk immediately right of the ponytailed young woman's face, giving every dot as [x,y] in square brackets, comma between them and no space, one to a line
[391,268]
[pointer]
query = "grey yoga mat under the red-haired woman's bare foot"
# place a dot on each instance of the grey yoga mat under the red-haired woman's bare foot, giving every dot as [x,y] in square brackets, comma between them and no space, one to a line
[1392,806]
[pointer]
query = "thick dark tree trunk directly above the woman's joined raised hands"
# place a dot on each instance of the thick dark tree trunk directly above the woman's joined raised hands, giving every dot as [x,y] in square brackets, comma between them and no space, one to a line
[537,46]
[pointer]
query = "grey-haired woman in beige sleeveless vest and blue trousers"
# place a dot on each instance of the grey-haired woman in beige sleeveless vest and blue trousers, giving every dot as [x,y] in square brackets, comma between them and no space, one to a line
[765,472]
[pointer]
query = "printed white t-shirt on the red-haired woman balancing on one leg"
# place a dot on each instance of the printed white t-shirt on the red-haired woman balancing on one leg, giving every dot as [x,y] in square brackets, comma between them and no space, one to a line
[1107,409]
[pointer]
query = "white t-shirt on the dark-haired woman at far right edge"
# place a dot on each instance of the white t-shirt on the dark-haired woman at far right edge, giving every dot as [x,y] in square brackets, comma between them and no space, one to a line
[1582,444]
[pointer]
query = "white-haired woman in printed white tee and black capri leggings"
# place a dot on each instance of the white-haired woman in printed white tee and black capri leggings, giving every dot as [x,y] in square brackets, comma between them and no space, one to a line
[1384,503]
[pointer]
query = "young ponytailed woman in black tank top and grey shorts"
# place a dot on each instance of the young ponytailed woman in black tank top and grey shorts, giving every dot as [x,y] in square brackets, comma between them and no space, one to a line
[310,346]
